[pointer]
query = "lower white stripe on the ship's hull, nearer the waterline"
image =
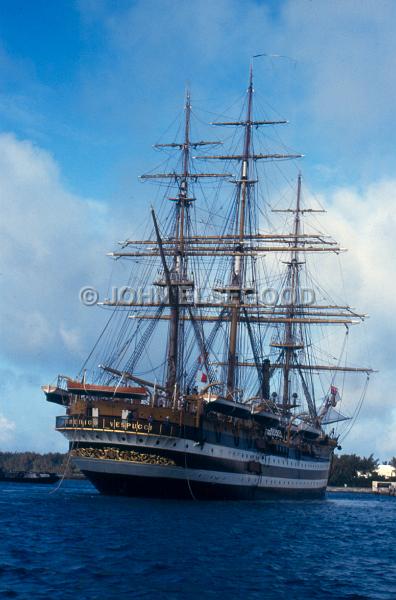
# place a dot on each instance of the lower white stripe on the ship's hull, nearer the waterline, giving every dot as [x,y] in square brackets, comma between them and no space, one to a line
[127,468]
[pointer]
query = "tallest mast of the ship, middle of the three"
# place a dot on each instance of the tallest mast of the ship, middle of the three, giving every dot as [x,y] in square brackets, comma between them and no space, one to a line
[237,277]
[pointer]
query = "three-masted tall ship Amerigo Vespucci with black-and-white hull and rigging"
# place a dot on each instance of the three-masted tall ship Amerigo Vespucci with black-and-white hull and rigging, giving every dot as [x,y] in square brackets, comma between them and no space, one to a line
[213,377]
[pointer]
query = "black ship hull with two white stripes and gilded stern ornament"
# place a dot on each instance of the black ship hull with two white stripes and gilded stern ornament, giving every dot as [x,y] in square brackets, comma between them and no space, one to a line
[151,465]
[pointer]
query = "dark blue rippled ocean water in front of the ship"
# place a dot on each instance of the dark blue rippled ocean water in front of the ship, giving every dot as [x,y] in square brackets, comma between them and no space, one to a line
[76,544]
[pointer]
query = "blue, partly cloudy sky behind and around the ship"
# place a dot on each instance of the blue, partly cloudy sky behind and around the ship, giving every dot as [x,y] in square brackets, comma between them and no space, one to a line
[86,88]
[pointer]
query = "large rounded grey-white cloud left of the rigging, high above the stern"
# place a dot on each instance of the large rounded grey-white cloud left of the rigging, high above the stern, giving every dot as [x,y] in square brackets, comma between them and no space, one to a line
[53,243]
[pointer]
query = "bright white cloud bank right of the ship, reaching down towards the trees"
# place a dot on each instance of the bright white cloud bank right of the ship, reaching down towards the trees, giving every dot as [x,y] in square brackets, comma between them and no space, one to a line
[365,222]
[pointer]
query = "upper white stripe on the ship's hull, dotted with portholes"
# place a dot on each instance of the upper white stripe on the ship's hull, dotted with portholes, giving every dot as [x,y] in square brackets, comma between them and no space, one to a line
[190,447]
